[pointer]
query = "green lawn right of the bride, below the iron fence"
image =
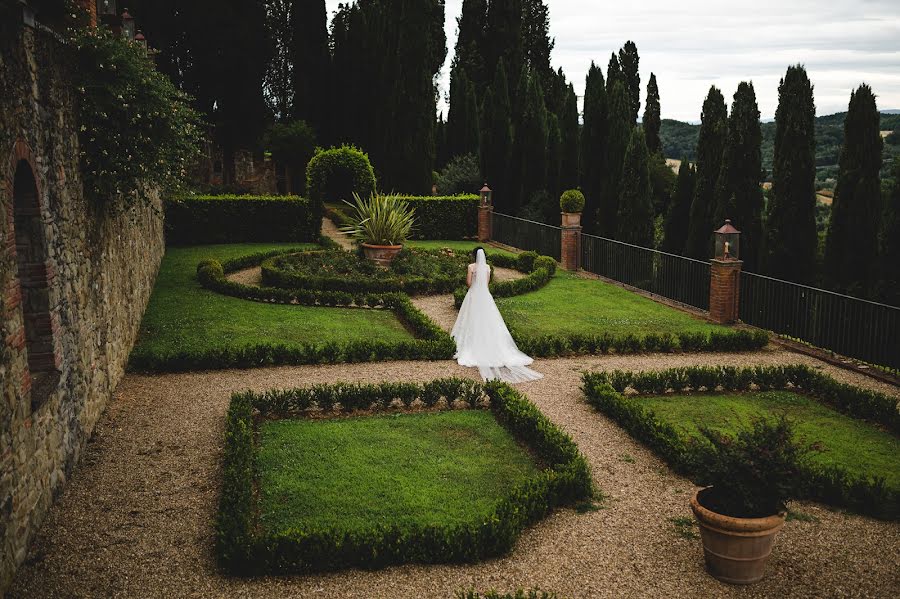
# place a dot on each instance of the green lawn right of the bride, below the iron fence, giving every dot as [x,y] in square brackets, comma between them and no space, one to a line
[571,304]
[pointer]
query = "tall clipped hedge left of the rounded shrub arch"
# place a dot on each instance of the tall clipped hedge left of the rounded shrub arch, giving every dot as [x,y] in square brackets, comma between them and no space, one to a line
[198,220]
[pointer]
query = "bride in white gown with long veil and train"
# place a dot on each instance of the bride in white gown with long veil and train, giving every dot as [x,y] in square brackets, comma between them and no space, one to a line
[482,338]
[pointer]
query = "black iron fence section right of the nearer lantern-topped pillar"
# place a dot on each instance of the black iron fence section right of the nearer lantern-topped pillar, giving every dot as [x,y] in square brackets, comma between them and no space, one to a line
[847,325]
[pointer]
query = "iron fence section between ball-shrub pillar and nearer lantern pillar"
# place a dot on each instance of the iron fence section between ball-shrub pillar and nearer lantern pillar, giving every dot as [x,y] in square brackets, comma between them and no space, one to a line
[678,278]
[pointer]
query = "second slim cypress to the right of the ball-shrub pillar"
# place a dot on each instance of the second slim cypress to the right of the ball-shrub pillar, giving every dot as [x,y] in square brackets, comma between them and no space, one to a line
[620,128]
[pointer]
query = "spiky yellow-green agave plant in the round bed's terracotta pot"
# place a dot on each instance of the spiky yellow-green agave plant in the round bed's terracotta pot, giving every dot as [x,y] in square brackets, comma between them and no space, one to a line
[380,220]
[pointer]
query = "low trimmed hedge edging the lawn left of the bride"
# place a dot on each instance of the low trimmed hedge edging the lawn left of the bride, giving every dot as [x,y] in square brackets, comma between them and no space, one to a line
[433,343]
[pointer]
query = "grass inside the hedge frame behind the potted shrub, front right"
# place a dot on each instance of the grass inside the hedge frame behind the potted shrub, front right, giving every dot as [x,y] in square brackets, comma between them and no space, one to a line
[855,446]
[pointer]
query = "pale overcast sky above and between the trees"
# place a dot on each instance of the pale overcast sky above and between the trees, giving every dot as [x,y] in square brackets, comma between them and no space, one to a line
[692,44]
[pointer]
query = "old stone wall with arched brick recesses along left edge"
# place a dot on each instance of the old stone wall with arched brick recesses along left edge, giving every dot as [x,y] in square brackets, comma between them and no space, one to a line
[75,276]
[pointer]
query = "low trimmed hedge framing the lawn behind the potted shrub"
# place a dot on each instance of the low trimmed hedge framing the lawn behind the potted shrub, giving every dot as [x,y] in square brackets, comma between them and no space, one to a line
[831,485]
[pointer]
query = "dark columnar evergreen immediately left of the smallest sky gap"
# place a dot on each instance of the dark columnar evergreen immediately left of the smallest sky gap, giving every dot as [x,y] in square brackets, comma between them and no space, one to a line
[310,57]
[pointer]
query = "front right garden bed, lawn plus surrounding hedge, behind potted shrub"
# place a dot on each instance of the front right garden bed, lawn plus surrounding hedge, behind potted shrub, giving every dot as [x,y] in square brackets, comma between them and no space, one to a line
[855,429]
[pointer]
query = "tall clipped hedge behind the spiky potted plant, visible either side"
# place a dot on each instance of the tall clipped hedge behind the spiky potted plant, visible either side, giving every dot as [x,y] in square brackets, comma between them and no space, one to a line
[437,217]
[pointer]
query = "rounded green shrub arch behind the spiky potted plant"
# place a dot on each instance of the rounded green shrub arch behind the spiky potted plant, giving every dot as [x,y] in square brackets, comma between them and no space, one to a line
[336,174]
